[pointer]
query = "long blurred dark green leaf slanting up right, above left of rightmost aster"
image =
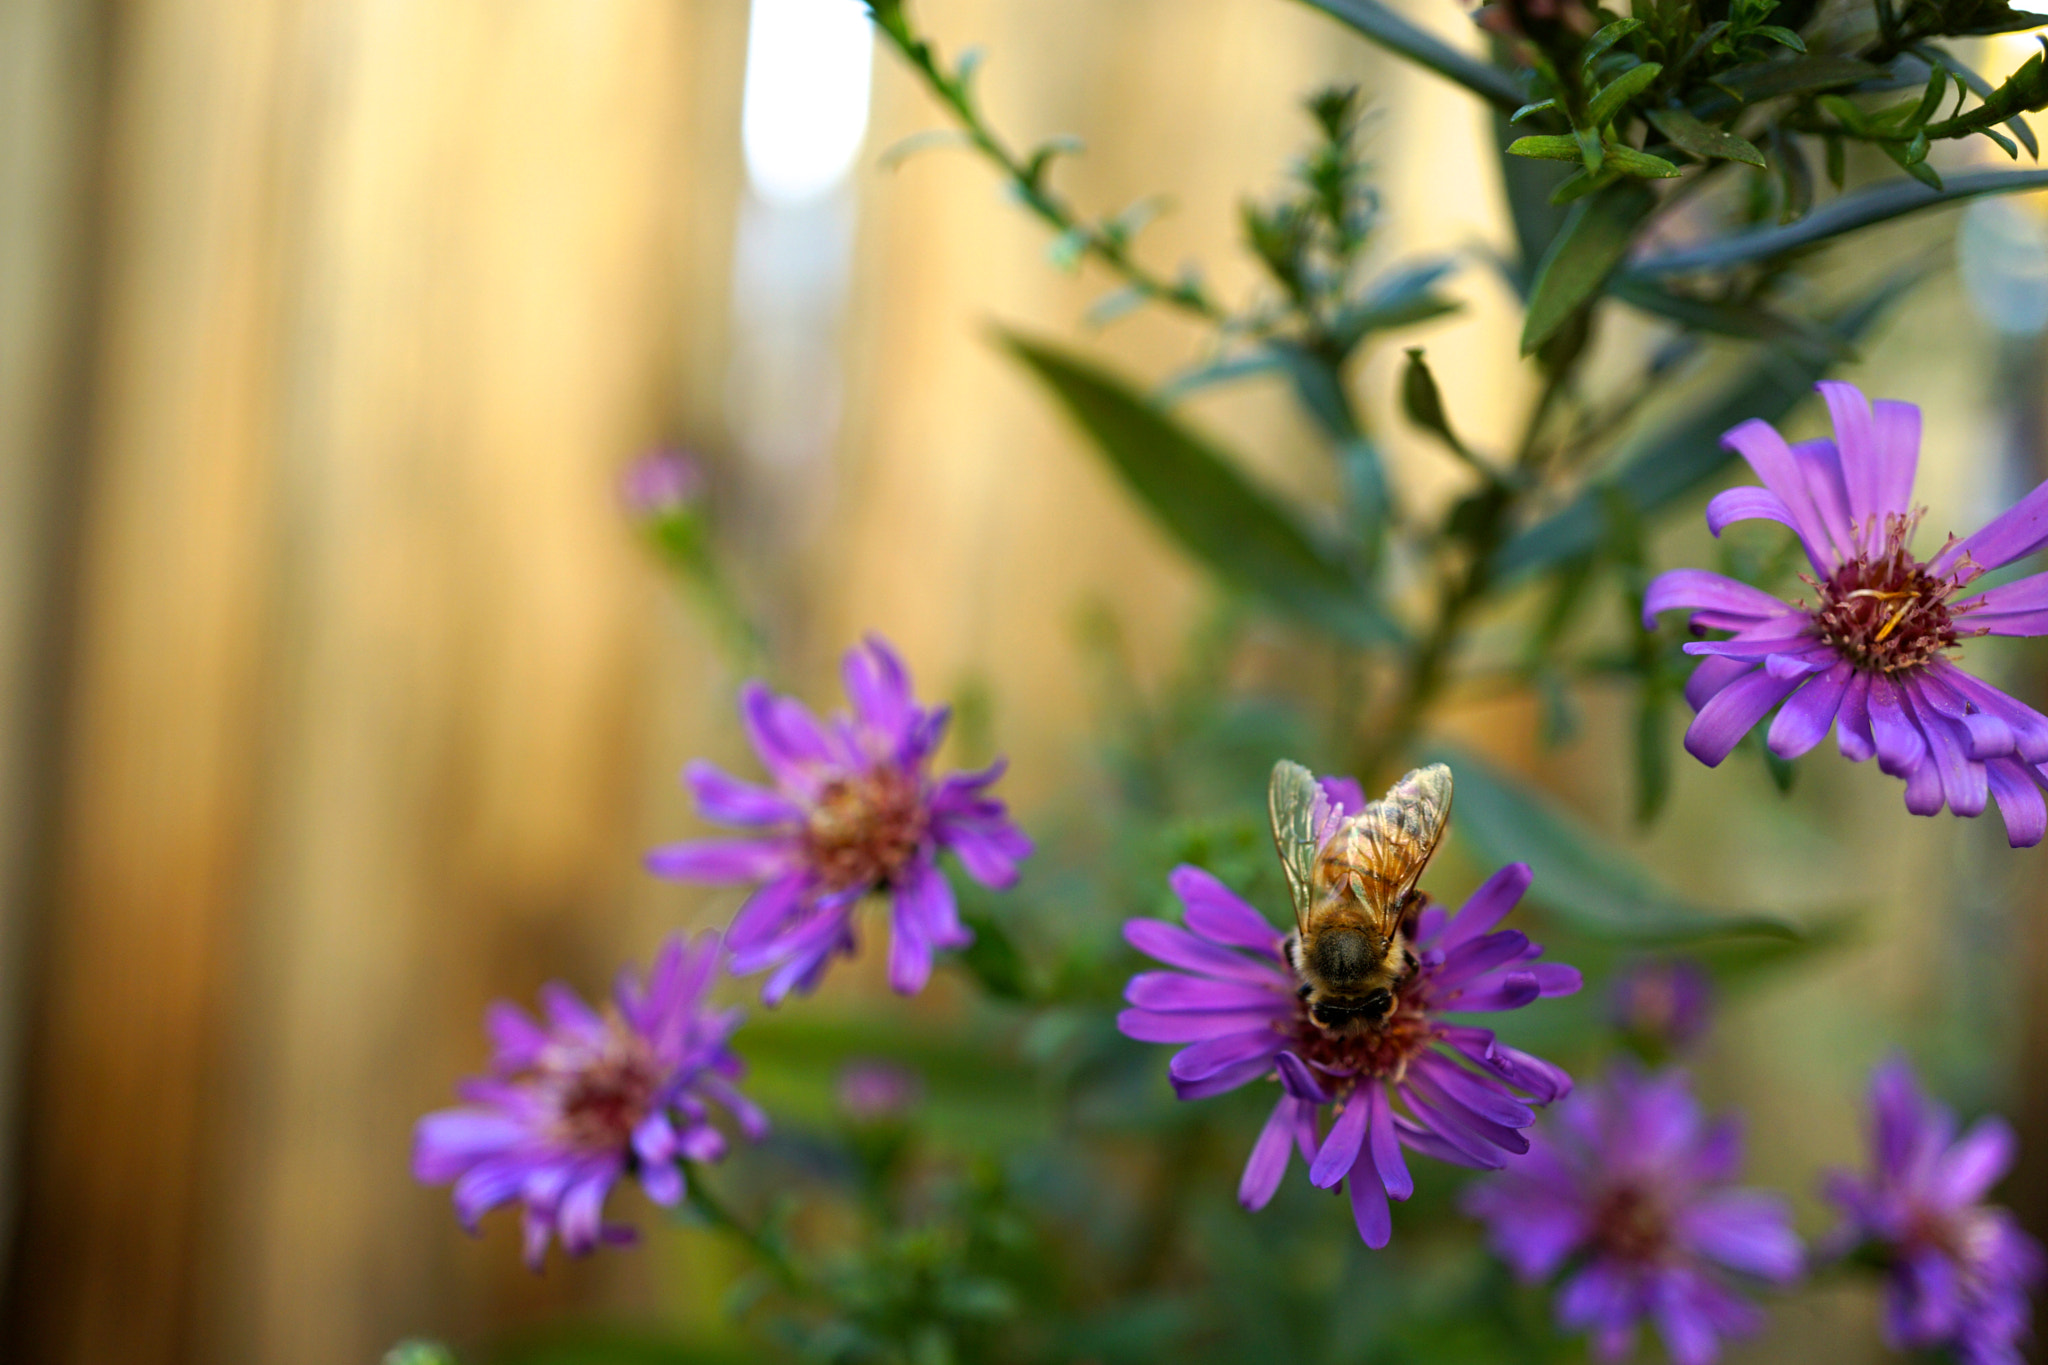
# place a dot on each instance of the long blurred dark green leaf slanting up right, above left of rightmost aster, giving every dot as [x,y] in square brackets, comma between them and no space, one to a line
[1687,453]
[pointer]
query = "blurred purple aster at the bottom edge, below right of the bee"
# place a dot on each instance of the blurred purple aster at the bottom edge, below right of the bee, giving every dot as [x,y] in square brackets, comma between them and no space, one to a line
[1631,1184]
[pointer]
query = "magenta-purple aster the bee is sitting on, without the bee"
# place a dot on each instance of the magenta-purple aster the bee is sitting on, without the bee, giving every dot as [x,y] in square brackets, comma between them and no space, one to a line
[1418,1082]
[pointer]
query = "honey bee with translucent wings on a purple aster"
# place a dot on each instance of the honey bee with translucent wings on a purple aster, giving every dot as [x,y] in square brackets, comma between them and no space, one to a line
[1353,877]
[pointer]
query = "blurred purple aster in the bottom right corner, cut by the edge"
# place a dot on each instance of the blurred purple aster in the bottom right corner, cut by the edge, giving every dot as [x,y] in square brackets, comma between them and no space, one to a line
[1959,1270]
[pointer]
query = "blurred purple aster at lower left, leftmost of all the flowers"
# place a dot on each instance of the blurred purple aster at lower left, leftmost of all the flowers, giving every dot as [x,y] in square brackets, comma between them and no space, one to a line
[587,1098]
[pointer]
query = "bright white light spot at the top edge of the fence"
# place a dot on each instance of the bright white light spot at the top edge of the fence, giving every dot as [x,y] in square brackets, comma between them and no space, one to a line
[808,95]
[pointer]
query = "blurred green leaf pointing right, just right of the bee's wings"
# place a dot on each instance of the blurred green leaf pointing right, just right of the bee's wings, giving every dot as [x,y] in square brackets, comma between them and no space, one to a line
[1582,881]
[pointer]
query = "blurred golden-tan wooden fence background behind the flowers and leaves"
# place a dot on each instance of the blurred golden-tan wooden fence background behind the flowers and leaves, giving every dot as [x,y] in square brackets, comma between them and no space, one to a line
[339,695]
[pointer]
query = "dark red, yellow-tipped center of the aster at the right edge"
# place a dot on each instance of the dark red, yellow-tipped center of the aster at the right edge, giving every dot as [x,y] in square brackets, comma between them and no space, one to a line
[1883,611]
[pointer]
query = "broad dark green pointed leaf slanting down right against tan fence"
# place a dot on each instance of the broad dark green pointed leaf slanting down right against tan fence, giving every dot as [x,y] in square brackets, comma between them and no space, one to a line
[1205,502]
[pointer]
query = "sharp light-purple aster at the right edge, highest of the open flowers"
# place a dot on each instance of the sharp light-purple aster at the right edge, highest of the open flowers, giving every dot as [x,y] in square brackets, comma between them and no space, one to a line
[1873,654]
